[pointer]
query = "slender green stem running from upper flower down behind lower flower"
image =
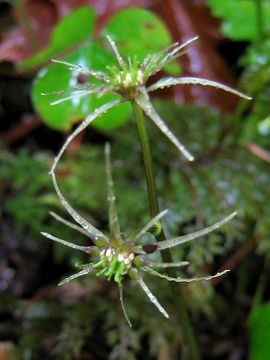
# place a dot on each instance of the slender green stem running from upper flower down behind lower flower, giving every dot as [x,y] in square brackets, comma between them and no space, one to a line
[188,331]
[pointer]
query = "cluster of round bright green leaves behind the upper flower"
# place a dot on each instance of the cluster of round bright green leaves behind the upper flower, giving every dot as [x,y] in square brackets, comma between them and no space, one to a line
[93,55]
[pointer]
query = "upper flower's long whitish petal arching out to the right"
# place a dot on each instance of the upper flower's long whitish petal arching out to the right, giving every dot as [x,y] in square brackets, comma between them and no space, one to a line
[169,81]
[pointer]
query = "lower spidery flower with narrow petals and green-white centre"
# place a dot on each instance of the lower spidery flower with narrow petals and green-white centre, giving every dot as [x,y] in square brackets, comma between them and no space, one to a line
[115,256]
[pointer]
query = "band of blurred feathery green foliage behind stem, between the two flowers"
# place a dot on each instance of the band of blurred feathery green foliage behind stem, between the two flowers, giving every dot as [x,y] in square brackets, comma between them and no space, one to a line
[219,182]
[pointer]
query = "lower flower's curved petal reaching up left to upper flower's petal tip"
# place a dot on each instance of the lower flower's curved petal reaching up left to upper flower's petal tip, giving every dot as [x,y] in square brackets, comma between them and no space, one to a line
[93,233]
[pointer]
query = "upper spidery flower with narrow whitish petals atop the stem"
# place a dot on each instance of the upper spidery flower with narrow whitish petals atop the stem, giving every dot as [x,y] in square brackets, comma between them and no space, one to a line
[129,79]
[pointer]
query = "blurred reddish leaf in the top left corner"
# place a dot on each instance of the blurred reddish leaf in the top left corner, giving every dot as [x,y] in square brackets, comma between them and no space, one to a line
[23,41]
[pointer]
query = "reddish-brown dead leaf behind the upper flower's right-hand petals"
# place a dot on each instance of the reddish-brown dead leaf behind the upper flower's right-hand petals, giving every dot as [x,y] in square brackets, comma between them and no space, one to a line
[188,19]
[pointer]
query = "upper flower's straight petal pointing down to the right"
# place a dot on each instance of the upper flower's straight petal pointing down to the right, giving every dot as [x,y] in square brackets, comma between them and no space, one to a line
[144,102]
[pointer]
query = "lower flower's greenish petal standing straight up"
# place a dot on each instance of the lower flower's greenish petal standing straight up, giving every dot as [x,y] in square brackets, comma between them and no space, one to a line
[113,218]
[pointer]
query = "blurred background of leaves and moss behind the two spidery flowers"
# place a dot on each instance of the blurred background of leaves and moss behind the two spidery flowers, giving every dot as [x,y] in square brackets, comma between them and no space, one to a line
[228,136]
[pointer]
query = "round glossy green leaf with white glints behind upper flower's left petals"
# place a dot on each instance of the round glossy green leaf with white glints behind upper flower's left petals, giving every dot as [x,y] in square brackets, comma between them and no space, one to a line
[57,76]
